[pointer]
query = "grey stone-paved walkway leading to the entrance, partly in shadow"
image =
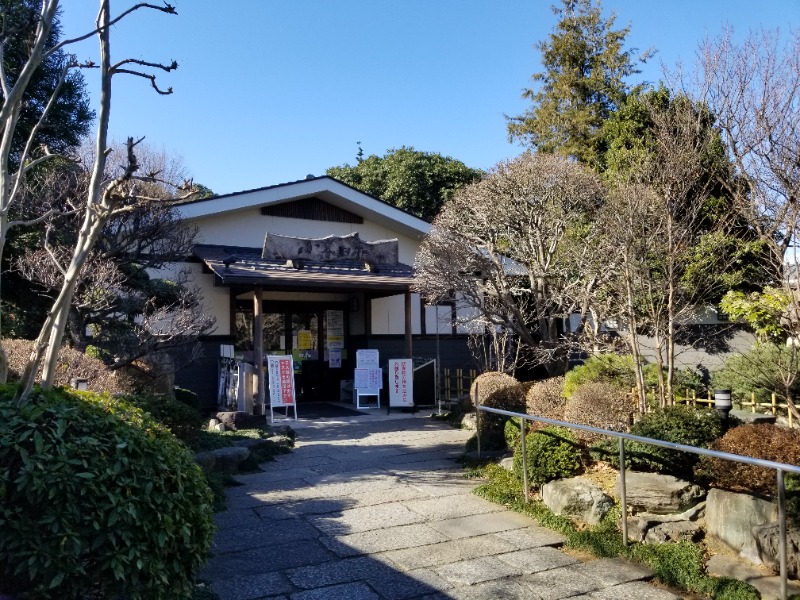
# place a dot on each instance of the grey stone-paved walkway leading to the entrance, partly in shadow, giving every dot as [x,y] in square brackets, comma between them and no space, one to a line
[375,508]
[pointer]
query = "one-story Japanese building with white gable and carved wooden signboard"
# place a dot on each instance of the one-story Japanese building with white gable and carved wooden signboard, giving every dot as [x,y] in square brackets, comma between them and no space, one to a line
[325,270]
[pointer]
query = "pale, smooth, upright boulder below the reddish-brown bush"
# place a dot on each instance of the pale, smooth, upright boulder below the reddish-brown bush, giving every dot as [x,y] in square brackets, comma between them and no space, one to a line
[731,518]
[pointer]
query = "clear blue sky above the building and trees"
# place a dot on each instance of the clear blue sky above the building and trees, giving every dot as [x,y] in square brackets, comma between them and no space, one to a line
[269,91]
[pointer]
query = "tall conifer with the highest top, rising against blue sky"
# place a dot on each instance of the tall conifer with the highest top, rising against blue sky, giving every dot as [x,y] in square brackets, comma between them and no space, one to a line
[583,83]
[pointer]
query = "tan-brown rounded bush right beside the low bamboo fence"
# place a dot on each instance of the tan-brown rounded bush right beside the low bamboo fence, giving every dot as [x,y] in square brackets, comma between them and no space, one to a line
[599,404]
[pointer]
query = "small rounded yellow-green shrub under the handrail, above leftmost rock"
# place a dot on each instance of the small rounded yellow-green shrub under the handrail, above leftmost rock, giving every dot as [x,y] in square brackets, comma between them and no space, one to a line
[552,453]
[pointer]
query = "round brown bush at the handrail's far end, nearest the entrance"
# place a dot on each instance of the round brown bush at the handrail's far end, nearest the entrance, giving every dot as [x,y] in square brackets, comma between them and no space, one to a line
[496,390]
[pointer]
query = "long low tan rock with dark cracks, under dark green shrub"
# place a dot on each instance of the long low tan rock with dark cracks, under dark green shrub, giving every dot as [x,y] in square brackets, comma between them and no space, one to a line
[659,494]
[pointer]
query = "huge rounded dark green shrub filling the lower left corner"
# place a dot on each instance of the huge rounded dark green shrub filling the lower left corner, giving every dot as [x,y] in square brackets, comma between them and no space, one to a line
[97,498]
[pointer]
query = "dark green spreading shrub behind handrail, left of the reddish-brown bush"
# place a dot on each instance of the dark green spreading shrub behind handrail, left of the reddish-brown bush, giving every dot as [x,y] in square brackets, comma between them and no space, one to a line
[677,424]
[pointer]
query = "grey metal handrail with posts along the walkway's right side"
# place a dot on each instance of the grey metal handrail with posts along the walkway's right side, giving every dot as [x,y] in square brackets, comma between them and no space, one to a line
[780,468]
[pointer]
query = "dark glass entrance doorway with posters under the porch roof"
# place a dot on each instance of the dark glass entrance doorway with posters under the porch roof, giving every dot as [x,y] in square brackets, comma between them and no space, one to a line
[313,333]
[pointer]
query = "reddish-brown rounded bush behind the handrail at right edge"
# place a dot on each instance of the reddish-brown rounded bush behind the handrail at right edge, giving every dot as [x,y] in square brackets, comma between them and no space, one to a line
[761,440]
